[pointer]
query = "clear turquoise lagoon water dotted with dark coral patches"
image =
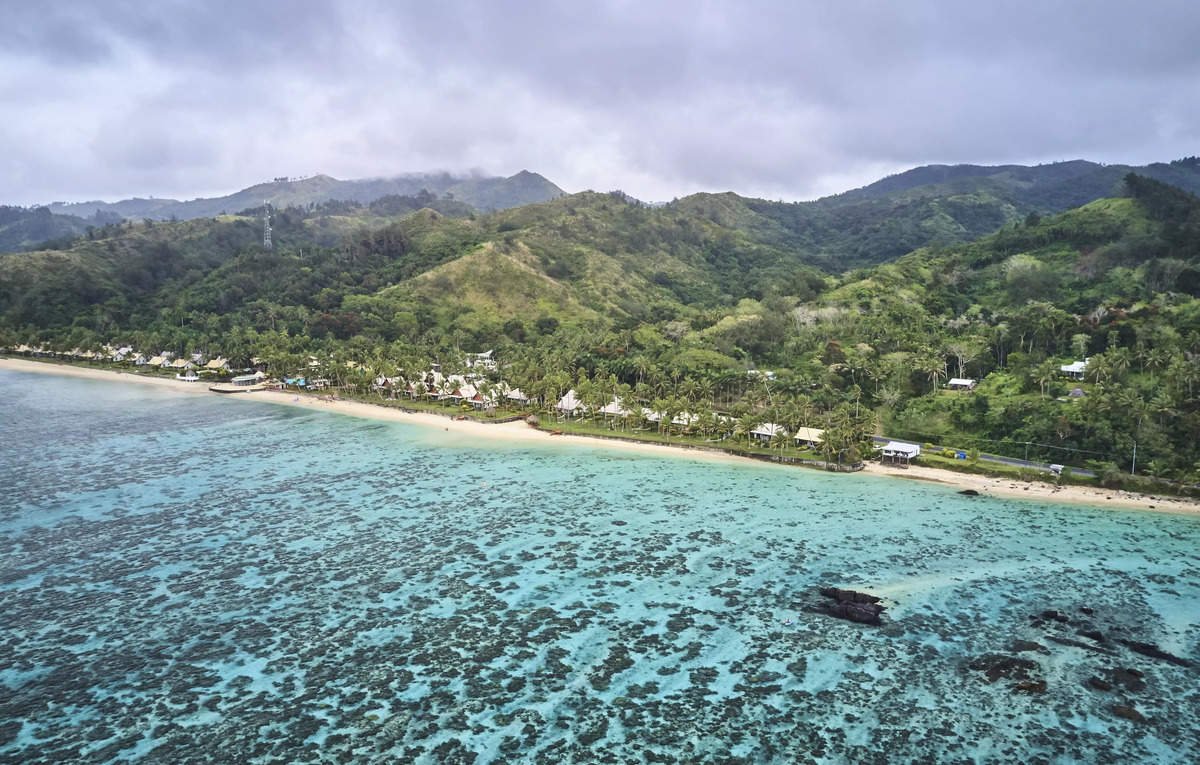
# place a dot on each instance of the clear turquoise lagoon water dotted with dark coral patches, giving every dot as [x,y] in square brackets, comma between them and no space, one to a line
[189,579]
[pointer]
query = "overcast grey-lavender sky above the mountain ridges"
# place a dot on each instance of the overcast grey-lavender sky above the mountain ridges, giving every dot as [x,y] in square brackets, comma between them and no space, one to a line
[105,100]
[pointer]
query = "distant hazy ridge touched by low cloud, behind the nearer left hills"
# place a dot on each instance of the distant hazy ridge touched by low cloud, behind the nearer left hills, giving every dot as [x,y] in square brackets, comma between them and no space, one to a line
[481,192]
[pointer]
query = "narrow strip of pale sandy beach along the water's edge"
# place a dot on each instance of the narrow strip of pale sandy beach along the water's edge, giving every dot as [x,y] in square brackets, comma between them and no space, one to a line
[519,432]
